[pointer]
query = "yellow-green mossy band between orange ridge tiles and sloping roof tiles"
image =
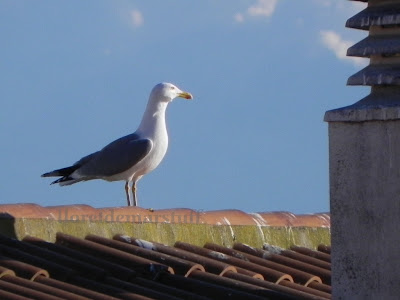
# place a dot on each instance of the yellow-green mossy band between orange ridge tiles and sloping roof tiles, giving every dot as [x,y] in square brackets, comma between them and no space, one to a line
[166,233]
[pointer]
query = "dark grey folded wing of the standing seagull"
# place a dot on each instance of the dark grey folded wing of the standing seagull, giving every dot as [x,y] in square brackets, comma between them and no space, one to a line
[116,157]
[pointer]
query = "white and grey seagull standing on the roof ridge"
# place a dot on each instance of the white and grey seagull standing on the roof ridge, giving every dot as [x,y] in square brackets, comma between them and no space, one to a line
[130,157]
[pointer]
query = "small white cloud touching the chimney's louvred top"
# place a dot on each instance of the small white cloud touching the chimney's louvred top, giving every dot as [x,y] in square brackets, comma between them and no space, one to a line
[334,42]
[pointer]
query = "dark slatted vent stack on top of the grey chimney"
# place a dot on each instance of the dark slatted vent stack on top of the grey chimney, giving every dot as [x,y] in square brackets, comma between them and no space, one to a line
[382,19]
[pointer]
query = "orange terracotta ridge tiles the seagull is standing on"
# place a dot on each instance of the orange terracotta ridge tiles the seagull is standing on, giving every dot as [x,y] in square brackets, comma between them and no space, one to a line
[181,215]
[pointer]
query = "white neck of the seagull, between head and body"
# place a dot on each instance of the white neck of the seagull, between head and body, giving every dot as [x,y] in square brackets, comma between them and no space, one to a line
[153,121]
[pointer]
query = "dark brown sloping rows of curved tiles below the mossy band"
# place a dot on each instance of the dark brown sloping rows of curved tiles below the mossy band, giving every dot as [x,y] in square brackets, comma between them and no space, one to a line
[125,267]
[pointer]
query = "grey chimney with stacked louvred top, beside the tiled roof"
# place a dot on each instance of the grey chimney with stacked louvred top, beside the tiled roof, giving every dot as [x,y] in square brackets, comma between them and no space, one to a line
[364,165]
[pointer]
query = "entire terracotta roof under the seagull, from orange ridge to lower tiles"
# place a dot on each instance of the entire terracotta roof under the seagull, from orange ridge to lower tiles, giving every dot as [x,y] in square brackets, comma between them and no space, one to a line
[126,267]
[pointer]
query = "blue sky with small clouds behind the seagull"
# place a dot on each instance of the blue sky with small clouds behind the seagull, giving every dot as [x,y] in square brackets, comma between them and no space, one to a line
[75,75]
